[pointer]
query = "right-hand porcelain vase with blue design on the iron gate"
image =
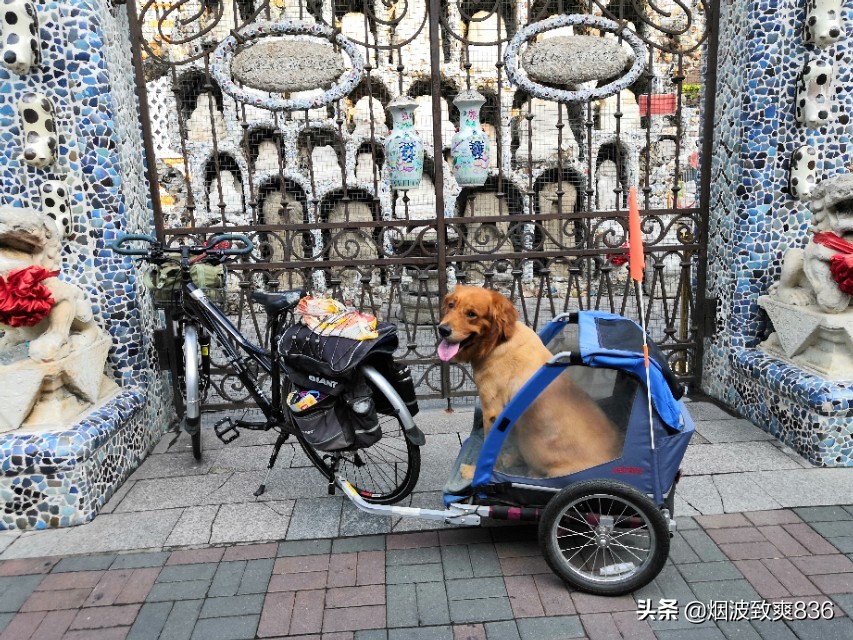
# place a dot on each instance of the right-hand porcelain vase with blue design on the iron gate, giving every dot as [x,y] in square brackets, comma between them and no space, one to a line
[470,146]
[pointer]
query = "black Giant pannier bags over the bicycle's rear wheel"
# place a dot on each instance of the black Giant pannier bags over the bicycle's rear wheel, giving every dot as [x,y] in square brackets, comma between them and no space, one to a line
[329,365]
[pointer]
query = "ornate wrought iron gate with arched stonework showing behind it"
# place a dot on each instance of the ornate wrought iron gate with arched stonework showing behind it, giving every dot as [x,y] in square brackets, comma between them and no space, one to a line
[548,228]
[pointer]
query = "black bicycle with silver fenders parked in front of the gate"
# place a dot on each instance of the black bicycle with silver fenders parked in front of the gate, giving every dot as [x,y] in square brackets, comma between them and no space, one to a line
[384,473]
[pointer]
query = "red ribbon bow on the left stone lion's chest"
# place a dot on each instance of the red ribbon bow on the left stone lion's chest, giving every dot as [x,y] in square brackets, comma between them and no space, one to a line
[24,301]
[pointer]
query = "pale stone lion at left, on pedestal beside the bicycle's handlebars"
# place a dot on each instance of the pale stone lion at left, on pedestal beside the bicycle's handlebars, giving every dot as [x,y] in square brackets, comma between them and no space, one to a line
[29,238]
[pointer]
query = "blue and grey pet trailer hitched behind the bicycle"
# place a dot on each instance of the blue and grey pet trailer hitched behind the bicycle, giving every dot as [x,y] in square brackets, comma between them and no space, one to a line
[604,530]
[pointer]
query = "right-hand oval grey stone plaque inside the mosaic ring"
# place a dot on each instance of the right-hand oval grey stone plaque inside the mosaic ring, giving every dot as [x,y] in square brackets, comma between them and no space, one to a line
[565,60]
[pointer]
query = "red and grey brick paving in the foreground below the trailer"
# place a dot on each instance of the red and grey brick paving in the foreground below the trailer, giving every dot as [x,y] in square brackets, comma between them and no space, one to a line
[485,583]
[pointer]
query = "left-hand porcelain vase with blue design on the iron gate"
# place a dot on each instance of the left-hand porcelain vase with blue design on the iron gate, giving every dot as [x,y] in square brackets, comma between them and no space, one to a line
[404,150]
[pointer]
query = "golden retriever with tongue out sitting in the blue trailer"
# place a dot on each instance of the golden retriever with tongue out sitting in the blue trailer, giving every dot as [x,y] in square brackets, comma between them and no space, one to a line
[563,430]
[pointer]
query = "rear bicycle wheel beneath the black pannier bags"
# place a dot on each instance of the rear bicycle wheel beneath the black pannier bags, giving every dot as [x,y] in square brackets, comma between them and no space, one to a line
[383,473]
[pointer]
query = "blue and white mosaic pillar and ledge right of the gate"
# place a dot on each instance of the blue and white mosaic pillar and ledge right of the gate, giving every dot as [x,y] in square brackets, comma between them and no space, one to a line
[754,220]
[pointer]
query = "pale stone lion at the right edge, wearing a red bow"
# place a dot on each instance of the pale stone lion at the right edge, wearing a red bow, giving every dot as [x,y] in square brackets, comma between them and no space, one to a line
[806,278]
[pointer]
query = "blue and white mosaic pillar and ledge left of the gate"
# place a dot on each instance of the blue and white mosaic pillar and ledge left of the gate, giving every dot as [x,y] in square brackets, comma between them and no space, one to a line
[62,478]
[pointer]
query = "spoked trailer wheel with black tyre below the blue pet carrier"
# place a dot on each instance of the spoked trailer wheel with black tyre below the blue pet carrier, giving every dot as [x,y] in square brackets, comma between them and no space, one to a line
[604,537]
